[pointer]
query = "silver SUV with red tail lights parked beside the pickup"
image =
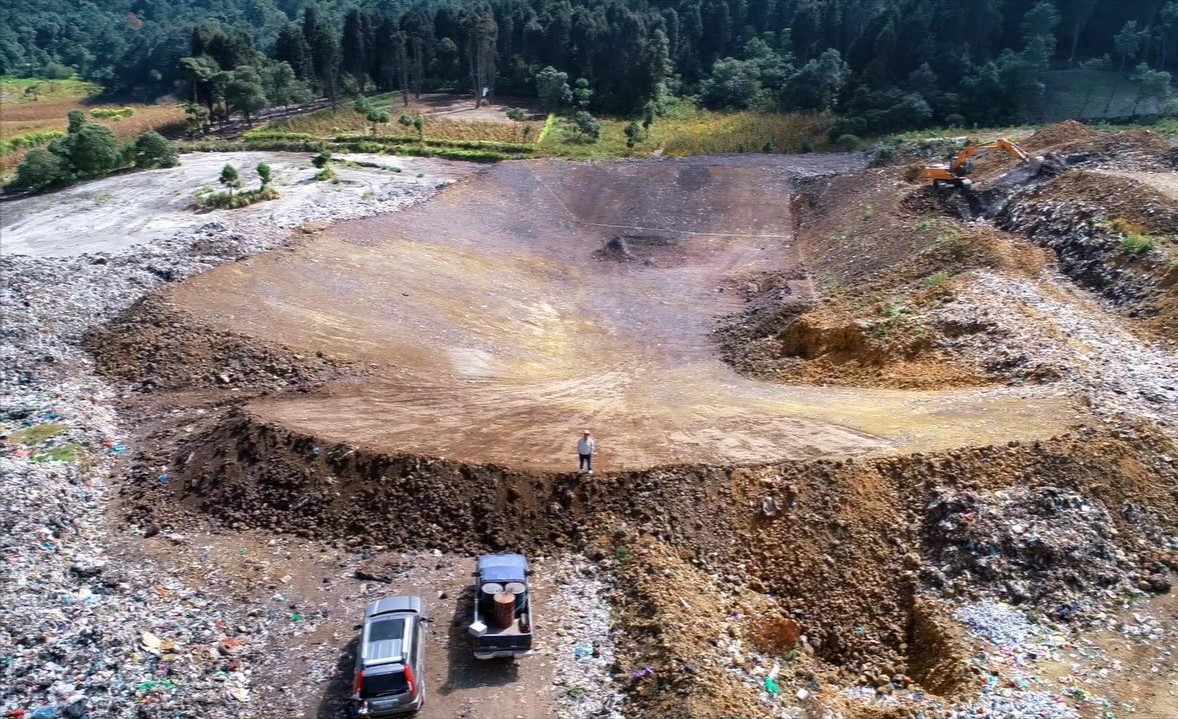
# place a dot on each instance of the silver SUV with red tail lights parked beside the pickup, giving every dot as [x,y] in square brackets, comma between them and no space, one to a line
[391,659]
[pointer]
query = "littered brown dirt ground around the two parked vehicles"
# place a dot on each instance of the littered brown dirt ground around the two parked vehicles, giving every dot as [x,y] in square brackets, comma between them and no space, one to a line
[309,598]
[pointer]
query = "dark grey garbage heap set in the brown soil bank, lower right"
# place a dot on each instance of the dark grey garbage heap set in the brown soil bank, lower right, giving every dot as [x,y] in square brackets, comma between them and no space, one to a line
[1044,546]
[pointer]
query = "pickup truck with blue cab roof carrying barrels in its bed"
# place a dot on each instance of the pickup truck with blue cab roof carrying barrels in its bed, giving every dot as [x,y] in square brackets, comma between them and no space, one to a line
[502,618]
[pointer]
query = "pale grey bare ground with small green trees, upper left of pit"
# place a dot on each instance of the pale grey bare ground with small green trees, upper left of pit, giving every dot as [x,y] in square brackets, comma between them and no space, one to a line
[121,212]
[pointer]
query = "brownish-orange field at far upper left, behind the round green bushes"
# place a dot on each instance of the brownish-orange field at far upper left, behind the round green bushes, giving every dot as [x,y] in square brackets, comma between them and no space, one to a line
[23,116]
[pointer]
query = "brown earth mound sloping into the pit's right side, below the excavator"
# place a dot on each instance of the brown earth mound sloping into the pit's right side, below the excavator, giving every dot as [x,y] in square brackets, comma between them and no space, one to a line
[886,260]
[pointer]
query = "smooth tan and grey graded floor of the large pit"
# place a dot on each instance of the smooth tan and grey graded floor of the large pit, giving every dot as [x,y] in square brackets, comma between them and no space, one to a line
[534,300]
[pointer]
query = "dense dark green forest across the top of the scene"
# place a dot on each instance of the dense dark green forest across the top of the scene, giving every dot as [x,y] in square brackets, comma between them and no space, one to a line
[881,64]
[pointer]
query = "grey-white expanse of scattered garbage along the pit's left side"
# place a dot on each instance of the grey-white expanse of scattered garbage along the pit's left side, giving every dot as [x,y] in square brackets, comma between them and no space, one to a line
[85,634]
